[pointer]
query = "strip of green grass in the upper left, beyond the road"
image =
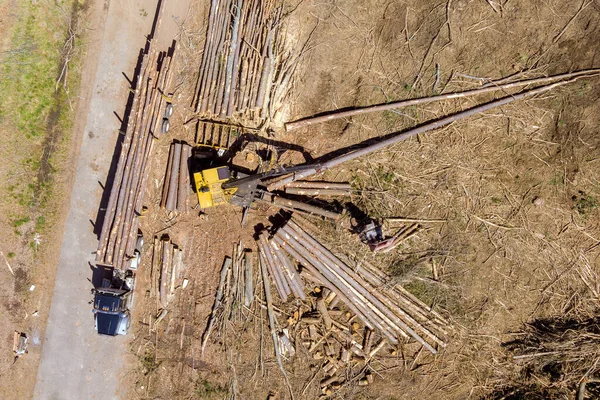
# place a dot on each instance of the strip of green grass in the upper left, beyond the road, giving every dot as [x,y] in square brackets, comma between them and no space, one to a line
[32,106]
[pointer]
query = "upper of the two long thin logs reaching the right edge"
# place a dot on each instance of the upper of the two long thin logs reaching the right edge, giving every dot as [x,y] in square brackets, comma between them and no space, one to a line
[423,100]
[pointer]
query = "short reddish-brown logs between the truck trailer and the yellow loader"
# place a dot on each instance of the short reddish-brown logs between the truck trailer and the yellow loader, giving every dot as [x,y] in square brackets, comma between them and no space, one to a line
[177,178]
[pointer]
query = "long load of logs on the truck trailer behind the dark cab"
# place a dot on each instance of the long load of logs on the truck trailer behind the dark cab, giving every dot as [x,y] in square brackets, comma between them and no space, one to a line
[120,225]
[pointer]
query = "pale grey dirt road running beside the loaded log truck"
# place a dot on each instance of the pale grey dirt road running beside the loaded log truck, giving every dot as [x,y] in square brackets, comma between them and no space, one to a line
[77,363]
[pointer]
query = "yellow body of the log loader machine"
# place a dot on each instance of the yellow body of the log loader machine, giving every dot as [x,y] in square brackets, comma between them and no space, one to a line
[209,187]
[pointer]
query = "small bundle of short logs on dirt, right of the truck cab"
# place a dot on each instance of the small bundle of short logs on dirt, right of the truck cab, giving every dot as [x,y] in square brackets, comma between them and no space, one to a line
[166,268]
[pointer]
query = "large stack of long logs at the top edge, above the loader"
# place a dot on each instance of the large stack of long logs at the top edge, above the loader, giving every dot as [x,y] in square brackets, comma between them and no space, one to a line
[238,63]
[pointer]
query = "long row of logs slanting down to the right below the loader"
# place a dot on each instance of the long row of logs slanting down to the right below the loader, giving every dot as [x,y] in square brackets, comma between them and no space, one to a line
[393,311]
